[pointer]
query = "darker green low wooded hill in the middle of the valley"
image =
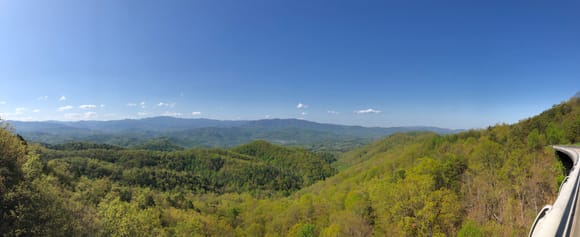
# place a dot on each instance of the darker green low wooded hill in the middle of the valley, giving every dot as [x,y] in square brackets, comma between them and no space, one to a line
[200,170]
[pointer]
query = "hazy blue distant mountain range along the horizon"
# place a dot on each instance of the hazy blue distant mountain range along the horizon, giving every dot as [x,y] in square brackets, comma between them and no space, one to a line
[208,132]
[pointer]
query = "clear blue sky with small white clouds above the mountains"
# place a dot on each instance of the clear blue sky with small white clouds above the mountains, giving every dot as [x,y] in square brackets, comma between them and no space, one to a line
[455,64]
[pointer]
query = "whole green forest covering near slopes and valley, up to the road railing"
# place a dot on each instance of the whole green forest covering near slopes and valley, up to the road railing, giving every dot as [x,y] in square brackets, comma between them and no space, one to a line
[488,182]
